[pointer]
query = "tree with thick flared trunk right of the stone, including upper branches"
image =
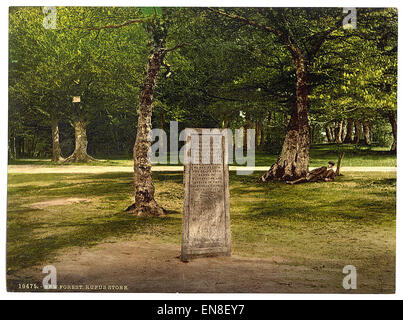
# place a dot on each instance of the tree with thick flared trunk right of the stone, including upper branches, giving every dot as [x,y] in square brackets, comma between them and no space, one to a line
[302,32]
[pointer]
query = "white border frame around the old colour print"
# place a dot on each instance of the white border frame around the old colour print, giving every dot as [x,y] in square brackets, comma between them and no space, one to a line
[160,296]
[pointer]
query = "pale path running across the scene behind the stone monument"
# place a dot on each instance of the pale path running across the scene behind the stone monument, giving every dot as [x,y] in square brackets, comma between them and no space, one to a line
[35,169]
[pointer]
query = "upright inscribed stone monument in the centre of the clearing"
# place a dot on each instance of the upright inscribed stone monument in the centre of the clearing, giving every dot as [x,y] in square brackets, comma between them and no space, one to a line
[206,219]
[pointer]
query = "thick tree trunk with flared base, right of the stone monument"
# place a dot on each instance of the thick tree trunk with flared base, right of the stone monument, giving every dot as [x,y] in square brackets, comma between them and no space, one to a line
[294,157]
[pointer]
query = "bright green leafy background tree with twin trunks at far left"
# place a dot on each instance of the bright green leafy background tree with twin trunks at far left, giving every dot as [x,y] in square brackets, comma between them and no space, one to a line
[57,64]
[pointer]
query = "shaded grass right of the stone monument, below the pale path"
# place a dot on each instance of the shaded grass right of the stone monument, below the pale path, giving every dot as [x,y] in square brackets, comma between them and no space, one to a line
[350,198]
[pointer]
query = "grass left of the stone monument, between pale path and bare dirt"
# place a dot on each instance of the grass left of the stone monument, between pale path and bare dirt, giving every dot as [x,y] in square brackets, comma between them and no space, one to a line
[110,191]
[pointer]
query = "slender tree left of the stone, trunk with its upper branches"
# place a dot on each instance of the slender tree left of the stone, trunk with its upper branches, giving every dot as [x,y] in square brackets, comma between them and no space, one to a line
[155,22]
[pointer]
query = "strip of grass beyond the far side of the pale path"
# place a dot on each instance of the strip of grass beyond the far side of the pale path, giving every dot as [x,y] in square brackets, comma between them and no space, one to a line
[355,156]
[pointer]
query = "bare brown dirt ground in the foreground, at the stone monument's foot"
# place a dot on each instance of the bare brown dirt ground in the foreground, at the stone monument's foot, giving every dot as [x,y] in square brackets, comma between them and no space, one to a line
[147,266]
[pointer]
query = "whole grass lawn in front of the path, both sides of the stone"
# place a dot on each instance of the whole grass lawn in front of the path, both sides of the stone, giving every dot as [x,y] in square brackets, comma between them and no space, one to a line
[349,221]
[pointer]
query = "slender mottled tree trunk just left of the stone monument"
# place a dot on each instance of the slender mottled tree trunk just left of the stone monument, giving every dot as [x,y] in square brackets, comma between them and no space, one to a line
[144,191]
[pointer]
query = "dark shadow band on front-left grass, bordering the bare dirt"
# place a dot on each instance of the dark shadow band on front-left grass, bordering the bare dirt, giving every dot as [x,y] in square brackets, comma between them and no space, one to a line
[34,251]
